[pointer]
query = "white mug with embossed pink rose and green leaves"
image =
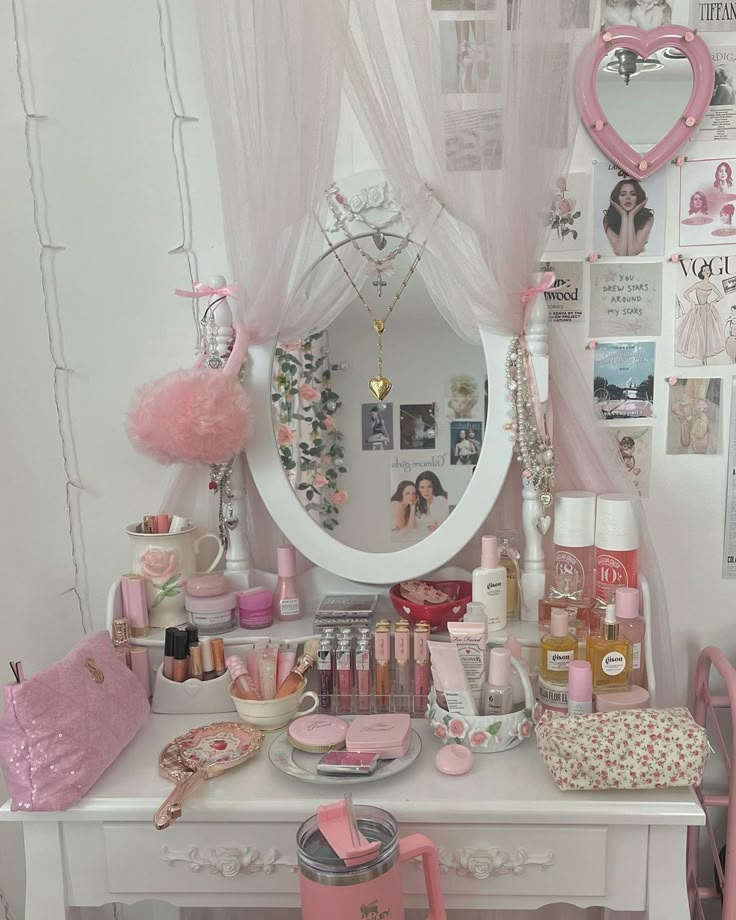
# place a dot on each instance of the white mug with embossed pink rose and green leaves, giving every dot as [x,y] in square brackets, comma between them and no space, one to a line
[167,560]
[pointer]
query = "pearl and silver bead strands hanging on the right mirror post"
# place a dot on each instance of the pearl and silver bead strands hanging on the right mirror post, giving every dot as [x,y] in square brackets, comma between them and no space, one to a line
[532,449]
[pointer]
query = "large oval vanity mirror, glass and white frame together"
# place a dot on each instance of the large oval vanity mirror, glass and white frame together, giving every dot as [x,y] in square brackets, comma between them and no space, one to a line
[380,490]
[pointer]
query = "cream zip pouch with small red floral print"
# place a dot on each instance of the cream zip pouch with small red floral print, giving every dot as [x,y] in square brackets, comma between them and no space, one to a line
[631,749]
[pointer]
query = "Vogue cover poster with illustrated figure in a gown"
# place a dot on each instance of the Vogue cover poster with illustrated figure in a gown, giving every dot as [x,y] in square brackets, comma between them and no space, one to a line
[705,311]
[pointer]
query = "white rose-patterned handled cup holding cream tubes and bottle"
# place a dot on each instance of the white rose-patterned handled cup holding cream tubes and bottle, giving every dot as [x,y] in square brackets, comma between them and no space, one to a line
[484,734]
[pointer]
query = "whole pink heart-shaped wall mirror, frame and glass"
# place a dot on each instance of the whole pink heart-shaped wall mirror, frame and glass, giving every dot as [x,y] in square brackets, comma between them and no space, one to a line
[612,93]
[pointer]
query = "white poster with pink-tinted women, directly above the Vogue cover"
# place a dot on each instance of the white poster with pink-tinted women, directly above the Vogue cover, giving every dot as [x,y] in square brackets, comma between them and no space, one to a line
[707,203]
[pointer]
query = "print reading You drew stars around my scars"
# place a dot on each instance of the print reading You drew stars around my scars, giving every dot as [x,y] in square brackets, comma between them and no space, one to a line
[625,299]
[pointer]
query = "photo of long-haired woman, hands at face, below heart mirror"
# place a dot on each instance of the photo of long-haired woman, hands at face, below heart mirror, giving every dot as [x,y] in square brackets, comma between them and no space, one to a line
[631,213]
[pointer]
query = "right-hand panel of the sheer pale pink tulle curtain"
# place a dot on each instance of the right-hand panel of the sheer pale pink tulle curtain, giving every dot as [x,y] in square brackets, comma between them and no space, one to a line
[479,107]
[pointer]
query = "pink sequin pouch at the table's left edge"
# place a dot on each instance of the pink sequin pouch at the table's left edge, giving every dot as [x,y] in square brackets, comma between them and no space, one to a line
[62,728]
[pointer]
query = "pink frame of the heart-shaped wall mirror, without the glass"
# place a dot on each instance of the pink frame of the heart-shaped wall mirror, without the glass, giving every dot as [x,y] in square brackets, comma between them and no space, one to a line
[642,165]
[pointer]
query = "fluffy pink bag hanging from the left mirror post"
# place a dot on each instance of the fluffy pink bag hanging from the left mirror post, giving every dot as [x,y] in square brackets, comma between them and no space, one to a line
[199,415]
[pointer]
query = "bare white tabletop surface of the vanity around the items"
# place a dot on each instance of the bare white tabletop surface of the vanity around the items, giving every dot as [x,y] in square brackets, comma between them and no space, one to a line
[513,787]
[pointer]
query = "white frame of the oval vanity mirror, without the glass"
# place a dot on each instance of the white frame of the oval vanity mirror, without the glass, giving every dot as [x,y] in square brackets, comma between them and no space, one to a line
[413,561]
